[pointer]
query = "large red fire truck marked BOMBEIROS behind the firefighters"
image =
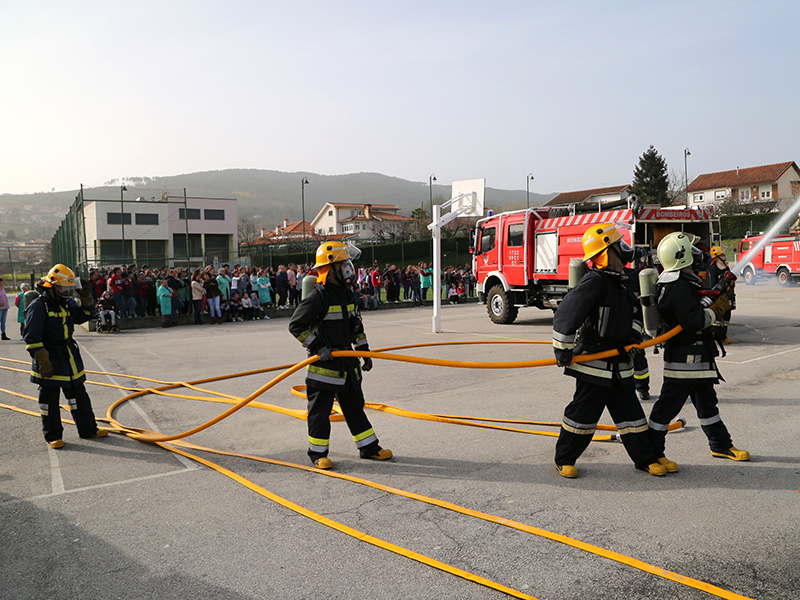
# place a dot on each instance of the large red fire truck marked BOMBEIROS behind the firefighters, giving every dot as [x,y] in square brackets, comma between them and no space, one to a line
[522,258]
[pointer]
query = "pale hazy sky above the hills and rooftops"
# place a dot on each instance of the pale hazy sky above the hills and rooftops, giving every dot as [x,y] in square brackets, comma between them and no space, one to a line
[570,91]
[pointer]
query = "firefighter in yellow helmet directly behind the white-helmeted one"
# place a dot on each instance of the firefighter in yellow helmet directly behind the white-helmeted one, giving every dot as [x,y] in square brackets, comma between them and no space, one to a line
[602,313]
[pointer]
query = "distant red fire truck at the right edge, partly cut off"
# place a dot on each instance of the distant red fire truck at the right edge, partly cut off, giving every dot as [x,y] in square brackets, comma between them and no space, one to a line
[778,258]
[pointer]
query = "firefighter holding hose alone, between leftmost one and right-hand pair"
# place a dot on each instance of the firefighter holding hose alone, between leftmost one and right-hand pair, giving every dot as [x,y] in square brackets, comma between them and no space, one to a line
[327,320]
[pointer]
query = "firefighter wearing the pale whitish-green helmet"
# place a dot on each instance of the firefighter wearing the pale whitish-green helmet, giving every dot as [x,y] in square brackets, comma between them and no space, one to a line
[689,367]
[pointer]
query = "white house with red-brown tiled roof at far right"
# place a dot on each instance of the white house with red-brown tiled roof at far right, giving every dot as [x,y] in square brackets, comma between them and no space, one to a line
[767,184]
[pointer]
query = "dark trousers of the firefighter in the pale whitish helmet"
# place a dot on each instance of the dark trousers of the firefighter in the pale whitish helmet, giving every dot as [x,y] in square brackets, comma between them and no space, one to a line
[674,393]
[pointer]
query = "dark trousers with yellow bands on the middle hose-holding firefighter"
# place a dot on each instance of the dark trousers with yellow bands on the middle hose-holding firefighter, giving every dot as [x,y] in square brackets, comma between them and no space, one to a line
[351,401]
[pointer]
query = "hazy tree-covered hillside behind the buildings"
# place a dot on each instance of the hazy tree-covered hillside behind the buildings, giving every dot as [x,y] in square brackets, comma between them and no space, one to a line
[265,196]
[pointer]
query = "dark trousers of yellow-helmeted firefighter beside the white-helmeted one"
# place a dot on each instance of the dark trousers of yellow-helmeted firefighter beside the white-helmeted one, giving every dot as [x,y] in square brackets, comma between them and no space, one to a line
[583,413]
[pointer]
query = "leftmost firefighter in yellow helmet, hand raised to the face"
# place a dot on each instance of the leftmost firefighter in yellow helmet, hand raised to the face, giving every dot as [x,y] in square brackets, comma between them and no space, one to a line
[57,366]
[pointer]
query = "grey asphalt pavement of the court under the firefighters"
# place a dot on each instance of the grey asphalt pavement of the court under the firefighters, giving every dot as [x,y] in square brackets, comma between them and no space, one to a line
[118,518]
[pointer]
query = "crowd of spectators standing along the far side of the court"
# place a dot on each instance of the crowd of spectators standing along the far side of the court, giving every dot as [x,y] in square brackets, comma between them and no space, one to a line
[243,293]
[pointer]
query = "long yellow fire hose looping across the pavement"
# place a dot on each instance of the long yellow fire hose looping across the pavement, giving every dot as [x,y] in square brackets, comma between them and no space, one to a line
[144,435]
